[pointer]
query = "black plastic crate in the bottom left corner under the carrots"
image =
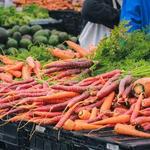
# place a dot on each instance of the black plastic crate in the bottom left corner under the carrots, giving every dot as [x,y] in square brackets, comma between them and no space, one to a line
[13,139]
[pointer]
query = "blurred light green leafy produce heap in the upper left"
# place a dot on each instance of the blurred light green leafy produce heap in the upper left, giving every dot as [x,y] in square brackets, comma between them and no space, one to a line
[14,17]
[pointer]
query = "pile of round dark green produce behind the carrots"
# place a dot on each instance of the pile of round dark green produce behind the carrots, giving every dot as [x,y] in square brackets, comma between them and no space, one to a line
[19,38]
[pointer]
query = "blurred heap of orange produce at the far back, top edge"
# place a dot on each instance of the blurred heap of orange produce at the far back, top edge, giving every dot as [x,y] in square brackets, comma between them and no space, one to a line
[54,4]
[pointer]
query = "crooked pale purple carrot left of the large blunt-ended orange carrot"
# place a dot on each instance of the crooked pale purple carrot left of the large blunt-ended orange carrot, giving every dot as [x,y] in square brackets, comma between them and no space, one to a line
[125,81]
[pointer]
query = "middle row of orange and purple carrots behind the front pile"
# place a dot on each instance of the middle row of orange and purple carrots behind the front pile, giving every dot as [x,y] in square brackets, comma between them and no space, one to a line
[57,71]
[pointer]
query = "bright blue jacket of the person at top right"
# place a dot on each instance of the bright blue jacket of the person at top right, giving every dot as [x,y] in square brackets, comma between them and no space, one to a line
[137,12]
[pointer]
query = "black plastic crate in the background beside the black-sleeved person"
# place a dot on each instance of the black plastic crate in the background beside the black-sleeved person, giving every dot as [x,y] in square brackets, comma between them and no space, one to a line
[71,21]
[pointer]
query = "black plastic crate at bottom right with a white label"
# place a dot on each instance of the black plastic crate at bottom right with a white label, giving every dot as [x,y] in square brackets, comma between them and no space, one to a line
[99,140]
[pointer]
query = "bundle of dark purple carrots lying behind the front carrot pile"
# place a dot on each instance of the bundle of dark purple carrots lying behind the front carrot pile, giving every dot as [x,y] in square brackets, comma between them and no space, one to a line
[64,70]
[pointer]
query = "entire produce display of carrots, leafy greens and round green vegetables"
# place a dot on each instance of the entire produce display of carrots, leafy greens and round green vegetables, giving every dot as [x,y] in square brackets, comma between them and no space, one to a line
[48,79]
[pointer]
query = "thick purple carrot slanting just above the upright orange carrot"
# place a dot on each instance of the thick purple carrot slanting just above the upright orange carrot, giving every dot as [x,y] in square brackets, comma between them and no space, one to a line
[107,90]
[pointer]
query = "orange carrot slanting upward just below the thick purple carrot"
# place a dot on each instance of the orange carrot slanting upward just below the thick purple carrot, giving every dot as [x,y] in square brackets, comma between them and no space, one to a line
[107,102]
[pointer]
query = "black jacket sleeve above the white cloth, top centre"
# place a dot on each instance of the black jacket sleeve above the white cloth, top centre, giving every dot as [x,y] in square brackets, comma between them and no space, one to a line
[98,11]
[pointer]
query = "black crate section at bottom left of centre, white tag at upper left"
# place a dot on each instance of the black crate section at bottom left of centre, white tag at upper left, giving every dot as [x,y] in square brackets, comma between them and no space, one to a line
[50,139]
